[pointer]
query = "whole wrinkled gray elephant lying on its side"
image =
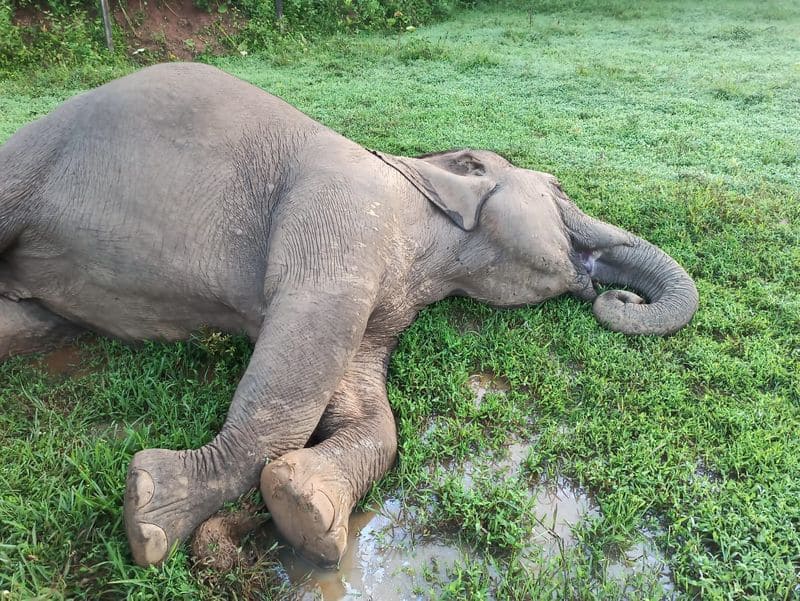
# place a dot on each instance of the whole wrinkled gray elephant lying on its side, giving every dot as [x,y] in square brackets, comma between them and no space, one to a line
[180,197]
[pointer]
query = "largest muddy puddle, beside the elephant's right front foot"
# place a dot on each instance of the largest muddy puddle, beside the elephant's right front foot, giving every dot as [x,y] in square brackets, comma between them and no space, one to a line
[384,560]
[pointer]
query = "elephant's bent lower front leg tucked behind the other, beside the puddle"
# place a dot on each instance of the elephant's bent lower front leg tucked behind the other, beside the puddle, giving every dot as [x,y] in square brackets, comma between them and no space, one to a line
[311,492]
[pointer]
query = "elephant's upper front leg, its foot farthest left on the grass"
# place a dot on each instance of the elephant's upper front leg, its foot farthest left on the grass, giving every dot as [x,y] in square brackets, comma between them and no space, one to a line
[298,361]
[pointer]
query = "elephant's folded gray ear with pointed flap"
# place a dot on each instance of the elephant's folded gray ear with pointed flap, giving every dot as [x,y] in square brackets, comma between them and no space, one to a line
[456,182]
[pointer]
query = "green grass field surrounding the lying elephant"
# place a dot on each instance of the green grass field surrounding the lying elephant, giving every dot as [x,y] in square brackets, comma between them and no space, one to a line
[679,121]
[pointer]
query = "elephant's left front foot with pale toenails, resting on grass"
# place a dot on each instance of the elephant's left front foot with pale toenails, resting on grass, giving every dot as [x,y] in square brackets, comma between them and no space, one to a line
[164,503]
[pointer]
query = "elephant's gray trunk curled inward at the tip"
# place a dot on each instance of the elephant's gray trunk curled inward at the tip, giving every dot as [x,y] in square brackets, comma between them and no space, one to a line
[611,255]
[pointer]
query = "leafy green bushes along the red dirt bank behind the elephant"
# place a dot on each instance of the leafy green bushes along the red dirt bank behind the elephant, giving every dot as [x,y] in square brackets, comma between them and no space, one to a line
[69,33]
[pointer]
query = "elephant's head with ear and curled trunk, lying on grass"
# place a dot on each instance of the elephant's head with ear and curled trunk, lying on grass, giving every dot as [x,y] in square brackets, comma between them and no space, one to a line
[525,241]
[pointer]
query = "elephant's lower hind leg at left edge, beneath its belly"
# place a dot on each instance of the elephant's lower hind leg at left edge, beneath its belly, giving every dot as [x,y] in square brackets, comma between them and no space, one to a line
[27,327]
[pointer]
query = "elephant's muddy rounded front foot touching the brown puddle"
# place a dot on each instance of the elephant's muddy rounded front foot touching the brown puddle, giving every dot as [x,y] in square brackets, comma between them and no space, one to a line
[309,504]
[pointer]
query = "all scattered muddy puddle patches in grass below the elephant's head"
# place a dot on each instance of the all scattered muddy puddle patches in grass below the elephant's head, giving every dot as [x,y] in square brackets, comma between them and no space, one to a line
[386,560]
